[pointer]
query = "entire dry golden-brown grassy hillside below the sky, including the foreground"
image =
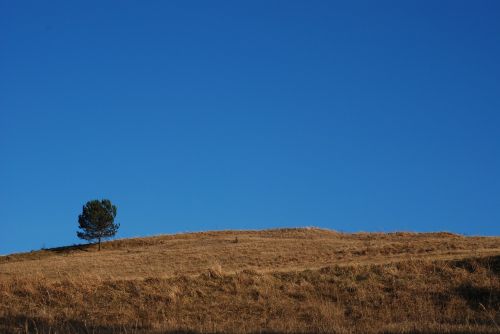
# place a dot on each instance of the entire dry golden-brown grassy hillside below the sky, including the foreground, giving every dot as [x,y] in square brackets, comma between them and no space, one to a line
[274,281]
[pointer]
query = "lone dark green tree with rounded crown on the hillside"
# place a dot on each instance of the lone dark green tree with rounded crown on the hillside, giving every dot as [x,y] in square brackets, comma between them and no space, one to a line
[97,221]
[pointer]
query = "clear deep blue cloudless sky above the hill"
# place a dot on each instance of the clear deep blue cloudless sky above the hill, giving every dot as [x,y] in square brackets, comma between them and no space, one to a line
[207,115]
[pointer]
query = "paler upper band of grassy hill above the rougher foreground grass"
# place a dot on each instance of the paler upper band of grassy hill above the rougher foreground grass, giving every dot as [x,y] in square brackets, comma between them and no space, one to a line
[265,250]
